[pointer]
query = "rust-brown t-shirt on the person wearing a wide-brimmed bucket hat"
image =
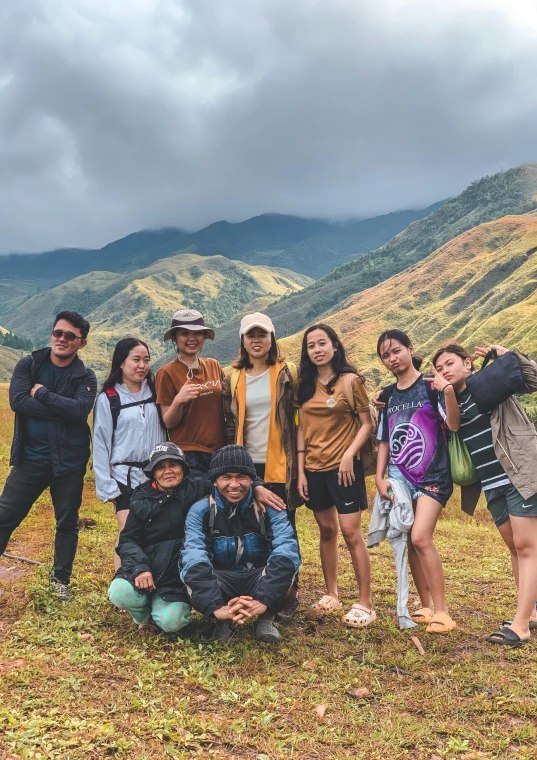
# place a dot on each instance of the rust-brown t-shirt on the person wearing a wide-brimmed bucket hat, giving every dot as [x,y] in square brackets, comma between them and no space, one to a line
[201,428]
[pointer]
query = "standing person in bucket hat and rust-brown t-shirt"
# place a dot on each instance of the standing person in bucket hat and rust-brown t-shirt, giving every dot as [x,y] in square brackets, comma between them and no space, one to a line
[189,392]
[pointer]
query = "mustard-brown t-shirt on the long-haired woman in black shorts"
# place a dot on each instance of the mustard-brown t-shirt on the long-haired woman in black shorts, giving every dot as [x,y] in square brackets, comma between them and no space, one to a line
[329,424]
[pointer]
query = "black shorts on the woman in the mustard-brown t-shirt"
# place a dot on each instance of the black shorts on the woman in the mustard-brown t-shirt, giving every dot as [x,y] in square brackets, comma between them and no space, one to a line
[325,492]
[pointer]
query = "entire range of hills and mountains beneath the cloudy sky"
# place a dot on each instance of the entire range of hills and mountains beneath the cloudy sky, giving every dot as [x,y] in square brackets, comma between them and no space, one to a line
[423,269]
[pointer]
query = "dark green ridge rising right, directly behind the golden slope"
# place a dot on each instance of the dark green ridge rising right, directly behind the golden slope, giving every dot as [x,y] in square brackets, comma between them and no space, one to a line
[511,192]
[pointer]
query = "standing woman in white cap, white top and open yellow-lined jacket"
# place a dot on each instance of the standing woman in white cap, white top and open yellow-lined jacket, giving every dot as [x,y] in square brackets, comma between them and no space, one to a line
[259,411]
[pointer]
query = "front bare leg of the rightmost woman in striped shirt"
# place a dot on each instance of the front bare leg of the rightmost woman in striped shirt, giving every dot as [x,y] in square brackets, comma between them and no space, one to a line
[525,540]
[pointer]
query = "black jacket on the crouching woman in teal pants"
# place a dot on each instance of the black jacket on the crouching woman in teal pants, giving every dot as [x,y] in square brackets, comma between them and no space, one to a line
[152,537]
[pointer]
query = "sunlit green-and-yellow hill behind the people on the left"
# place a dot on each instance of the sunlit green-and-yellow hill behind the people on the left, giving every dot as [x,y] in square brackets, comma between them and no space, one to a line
[141,303]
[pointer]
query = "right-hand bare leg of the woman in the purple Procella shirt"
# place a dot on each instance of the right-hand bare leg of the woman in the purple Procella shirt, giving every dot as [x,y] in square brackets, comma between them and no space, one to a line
[430,574]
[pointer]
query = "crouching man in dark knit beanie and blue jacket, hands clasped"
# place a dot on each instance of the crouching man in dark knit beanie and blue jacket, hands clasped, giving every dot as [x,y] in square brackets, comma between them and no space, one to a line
[238,561]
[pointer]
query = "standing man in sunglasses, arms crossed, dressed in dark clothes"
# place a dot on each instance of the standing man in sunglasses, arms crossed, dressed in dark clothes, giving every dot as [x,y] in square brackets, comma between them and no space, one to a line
[52,394]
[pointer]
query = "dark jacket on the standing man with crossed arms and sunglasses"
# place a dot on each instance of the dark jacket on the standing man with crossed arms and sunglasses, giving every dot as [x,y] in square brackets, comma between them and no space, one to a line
[67,410]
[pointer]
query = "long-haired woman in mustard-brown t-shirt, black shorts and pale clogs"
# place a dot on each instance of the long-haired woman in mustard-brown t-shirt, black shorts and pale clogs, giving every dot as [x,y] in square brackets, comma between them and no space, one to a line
[330,474]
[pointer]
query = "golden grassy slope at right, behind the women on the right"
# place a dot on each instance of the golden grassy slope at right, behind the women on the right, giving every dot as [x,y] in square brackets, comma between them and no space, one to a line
[478,288]
